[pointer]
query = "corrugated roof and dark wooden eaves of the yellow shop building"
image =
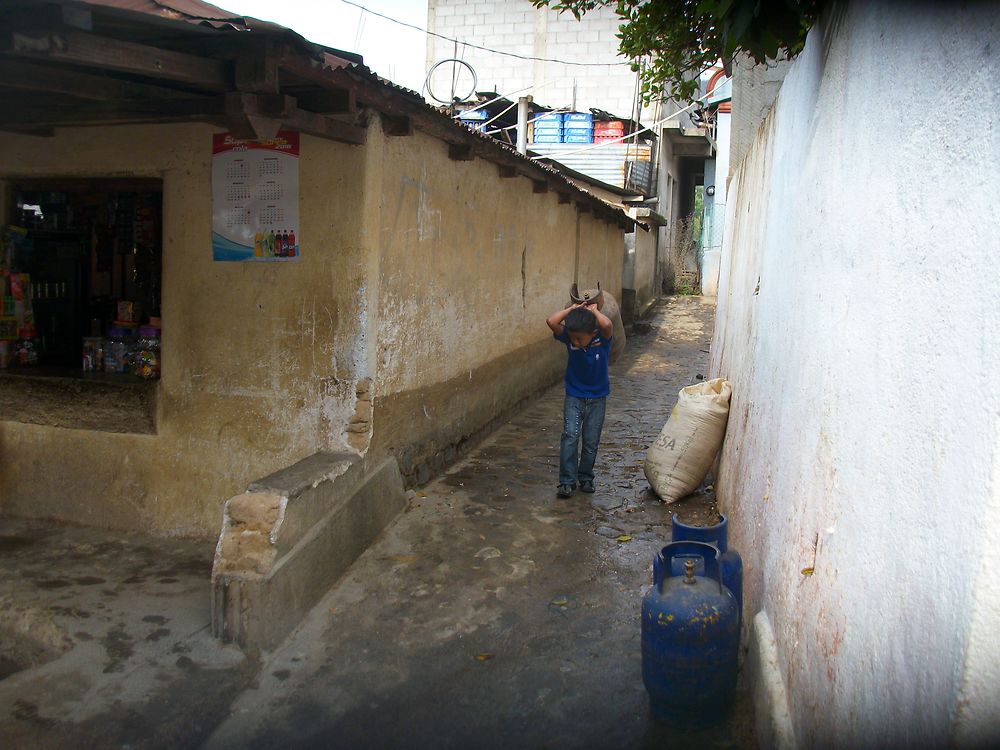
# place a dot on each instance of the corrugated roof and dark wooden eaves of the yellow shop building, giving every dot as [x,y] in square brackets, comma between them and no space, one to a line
[176,20]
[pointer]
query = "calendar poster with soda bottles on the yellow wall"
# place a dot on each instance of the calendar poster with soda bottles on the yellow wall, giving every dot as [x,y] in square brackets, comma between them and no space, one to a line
[255,198]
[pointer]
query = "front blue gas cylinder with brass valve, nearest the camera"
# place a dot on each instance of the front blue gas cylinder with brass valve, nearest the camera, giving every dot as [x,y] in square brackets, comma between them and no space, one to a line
[690,639]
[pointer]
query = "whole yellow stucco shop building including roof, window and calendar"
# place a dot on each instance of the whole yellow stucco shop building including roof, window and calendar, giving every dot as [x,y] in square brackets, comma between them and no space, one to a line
[217,238]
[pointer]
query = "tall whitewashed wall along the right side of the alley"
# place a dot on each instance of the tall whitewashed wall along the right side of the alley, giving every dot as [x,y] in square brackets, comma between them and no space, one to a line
[858,308]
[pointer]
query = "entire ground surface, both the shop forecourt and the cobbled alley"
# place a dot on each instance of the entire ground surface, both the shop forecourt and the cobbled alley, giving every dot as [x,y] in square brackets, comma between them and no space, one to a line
[490,614]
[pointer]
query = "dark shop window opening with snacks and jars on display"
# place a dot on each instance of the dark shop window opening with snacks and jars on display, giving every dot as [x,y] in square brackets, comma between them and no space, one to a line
[81,278]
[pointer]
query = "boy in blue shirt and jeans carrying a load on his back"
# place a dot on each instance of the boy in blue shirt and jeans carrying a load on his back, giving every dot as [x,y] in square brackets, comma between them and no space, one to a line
[586,332]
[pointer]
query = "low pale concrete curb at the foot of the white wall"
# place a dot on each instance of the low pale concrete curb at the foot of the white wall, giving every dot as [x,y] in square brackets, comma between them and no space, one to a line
[771,716]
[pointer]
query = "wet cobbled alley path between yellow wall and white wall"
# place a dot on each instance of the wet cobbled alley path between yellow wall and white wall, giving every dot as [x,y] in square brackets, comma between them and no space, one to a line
[492,614]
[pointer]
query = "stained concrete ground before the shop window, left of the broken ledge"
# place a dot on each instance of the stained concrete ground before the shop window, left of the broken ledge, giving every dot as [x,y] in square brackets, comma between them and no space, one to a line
[105,640]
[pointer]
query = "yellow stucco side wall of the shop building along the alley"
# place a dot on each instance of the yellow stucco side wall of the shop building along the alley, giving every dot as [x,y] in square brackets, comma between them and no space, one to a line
[470,267]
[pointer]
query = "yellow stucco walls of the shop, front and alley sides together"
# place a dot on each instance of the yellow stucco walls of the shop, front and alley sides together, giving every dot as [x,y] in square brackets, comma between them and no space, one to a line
[423,288]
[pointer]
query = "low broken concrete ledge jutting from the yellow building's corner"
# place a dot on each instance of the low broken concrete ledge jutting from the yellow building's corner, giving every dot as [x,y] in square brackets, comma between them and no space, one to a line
[290,537]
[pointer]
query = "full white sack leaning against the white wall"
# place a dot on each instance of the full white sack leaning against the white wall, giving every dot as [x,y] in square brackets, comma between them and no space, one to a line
[688,443]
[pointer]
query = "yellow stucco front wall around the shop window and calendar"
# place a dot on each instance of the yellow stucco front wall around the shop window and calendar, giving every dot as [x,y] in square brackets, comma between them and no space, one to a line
[259,360]
